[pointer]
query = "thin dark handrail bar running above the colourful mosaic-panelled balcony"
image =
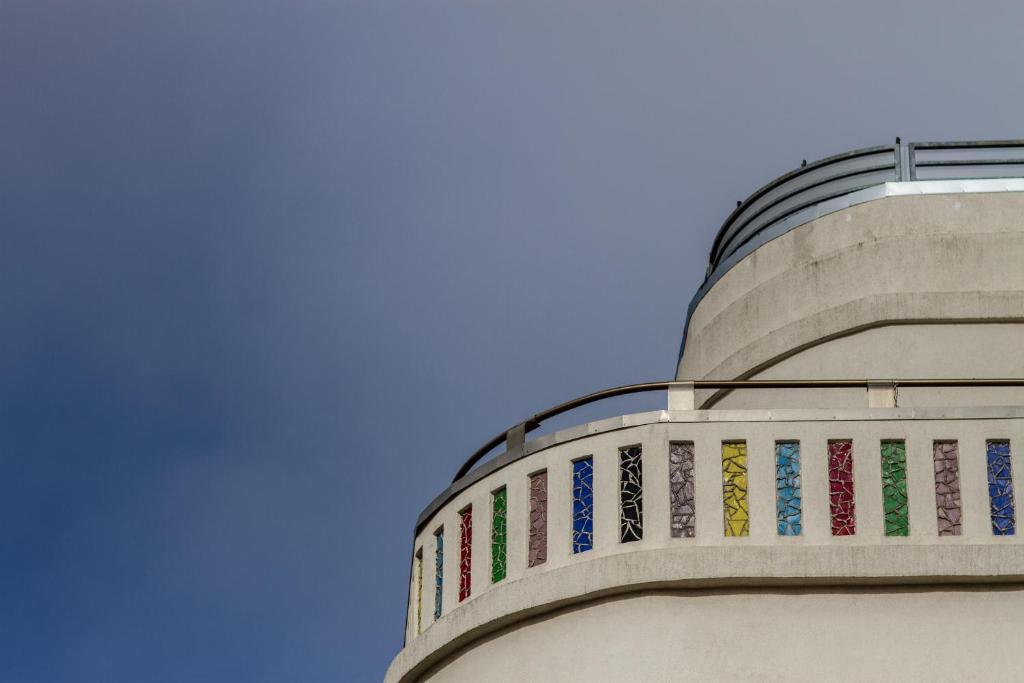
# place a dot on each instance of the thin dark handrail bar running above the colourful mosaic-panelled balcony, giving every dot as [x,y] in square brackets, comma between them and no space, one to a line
[516,437]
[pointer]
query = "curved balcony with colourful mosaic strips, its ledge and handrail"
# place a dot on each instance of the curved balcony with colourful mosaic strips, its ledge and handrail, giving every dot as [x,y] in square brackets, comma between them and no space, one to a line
[689,499]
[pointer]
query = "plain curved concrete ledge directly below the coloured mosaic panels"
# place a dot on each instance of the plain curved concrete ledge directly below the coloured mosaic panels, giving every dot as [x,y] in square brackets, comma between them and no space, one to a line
[701,568]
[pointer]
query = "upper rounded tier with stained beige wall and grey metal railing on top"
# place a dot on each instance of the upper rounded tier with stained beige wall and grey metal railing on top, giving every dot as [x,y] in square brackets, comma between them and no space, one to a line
[895,262]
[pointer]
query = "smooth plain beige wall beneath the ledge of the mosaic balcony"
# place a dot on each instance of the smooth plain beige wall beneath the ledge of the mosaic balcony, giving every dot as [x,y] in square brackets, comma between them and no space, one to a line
[933,633]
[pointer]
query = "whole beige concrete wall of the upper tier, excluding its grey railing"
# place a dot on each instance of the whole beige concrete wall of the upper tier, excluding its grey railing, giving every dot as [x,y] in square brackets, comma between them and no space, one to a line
[799,306]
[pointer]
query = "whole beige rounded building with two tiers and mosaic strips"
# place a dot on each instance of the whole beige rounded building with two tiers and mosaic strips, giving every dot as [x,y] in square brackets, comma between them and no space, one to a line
[830,491]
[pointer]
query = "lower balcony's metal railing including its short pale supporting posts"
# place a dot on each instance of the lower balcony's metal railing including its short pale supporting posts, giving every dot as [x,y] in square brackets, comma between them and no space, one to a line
[881,394]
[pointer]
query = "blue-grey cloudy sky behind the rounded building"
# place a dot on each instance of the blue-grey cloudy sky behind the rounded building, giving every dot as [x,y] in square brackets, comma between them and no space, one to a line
[270,272]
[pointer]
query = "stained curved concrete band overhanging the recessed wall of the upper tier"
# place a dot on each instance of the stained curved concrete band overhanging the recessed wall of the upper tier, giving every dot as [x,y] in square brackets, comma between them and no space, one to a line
[902,260]
